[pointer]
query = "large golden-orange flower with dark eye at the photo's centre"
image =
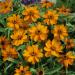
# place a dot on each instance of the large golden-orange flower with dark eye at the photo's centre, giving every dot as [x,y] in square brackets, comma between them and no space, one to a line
[38,32]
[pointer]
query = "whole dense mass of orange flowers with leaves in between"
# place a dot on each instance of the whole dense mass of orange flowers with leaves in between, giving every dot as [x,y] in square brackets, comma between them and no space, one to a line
[36,35]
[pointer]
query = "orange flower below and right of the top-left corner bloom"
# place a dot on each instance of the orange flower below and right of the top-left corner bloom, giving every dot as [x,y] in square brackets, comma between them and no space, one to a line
[14,21]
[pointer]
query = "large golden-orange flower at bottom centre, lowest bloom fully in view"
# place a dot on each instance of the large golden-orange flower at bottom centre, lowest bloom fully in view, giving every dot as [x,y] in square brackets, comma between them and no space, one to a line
[33,54]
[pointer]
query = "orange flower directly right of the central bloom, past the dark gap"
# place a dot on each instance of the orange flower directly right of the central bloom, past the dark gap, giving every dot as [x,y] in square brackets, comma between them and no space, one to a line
[60,32]
